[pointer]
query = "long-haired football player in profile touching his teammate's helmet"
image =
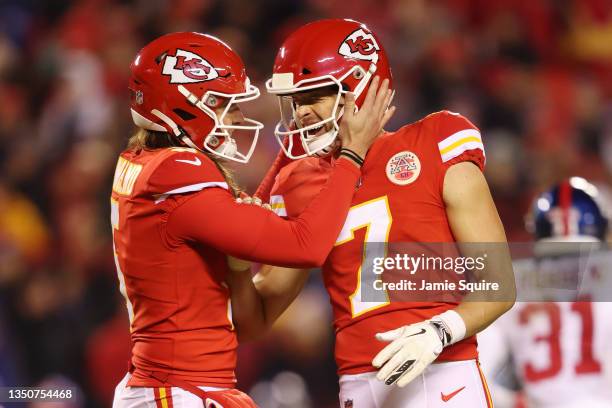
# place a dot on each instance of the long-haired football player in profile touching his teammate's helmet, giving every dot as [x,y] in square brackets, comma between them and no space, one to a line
[175,217]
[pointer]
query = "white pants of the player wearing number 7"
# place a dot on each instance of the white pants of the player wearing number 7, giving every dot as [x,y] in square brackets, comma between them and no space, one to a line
[457,384]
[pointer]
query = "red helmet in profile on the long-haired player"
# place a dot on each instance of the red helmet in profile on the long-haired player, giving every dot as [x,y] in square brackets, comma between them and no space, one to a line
[178,81]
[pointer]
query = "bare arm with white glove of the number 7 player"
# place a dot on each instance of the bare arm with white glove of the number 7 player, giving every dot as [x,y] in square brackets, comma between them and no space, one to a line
[473,219]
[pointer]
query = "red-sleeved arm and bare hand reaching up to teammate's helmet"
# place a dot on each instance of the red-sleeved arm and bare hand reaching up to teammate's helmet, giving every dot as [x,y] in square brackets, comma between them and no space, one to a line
[252,233]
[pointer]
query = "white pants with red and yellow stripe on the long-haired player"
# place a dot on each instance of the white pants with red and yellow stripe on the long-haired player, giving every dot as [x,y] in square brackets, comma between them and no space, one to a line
[160,397]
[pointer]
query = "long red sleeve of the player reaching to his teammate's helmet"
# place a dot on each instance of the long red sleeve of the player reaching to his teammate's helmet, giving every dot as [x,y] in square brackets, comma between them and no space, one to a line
[250,232]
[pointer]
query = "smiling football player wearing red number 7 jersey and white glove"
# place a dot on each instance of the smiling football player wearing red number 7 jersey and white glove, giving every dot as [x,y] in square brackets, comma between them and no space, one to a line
[422,183]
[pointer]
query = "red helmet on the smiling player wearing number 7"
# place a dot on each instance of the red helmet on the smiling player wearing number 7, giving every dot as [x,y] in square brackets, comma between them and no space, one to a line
[337,52]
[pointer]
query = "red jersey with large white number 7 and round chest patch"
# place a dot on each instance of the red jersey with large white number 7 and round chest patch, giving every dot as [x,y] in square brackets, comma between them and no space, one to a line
[399,200]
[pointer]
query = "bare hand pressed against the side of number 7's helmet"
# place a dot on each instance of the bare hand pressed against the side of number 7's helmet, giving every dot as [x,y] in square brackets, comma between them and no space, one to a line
[359,130]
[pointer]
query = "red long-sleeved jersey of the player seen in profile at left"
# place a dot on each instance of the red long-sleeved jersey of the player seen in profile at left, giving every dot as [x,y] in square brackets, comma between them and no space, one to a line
[174,221]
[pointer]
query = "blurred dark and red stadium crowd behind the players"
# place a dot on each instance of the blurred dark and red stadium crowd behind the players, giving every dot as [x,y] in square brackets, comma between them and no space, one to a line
[535,76]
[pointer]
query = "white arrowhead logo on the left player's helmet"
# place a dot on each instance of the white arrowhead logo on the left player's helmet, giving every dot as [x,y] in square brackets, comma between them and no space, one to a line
[186,68]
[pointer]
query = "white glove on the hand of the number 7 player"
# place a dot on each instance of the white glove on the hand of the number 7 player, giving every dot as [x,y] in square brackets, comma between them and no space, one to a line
[411,350]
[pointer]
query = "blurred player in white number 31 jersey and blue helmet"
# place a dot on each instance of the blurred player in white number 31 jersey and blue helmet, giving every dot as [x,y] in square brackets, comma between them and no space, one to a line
[558,350]
